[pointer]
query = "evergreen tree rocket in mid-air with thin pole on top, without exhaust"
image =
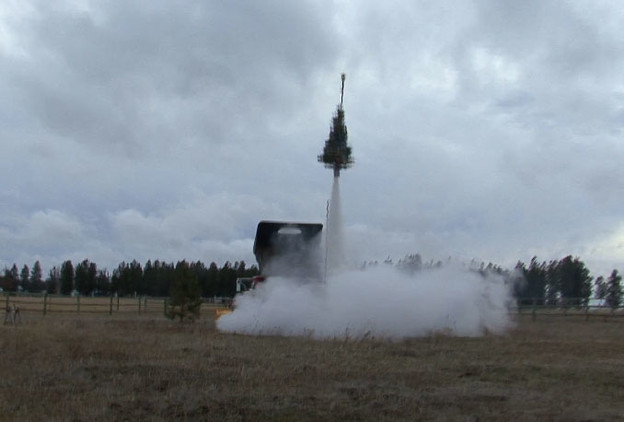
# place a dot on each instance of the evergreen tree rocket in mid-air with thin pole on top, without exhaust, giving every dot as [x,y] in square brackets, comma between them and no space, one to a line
[337,153]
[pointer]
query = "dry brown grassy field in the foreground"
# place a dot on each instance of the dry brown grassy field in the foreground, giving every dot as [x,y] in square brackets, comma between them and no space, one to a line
[87,367]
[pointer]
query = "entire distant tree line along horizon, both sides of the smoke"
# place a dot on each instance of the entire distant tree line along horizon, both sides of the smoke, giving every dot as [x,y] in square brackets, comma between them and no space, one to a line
[564,282]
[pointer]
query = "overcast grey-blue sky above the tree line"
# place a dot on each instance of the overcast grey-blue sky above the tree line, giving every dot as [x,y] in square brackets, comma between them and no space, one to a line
[156,129]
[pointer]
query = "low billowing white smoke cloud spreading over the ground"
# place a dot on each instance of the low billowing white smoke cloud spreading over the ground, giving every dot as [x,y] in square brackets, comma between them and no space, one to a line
[381,302]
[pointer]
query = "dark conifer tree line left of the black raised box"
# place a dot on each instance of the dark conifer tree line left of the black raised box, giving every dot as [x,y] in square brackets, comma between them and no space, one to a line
[155,278]
